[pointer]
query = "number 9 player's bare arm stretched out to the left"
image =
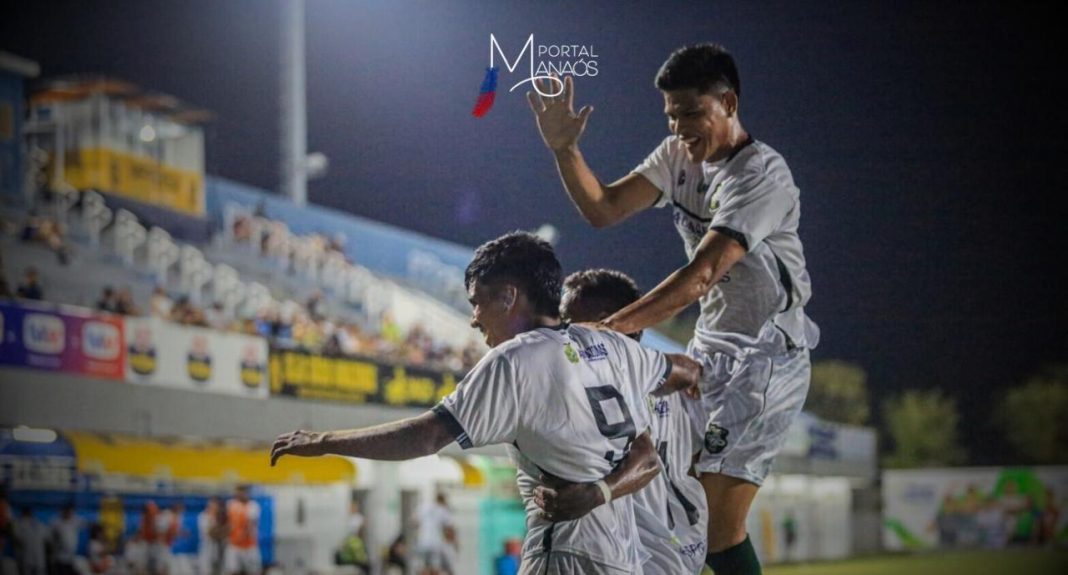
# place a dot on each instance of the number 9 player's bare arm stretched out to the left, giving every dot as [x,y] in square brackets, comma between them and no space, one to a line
[405,440]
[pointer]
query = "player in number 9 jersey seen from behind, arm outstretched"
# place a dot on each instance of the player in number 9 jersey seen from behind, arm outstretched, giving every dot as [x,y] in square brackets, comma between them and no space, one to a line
[567,399]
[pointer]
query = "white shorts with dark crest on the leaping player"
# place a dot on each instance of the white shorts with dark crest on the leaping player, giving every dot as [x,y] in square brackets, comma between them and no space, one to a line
[750,405]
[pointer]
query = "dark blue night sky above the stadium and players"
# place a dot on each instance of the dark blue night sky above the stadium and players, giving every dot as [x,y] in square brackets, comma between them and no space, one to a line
[923,136]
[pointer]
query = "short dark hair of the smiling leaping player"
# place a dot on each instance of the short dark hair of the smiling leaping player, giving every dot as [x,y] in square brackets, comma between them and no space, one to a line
[704,68]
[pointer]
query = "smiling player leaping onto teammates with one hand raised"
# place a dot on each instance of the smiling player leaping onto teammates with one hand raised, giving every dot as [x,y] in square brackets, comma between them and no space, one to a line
[737,209]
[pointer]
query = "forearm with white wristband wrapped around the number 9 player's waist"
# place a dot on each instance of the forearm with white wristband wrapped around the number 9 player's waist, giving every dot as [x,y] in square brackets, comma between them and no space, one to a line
[562,501]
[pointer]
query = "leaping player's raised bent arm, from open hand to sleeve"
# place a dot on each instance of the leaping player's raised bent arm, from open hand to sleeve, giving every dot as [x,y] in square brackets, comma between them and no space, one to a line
[561,129]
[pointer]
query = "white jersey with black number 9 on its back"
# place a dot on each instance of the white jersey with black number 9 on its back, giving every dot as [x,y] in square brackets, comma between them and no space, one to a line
[570,401]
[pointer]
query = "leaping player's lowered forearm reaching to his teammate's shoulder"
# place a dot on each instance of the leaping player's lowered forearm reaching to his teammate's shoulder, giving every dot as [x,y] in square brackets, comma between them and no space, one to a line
[713,259]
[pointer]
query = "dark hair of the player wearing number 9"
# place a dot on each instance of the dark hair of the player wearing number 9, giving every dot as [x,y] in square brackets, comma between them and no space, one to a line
[526,260]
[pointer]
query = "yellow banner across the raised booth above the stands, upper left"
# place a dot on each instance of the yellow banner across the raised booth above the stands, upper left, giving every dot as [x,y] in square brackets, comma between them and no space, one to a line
[136,178]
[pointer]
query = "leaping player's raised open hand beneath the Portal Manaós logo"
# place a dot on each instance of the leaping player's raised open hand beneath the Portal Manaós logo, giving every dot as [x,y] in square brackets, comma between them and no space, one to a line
[560,127]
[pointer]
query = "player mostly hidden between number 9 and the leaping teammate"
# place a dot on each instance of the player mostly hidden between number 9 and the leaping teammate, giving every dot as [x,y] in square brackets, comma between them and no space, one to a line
[671,511]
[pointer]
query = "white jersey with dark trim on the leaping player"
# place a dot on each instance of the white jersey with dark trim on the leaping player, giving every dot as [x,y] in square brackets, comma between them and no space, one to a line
[752,198]
